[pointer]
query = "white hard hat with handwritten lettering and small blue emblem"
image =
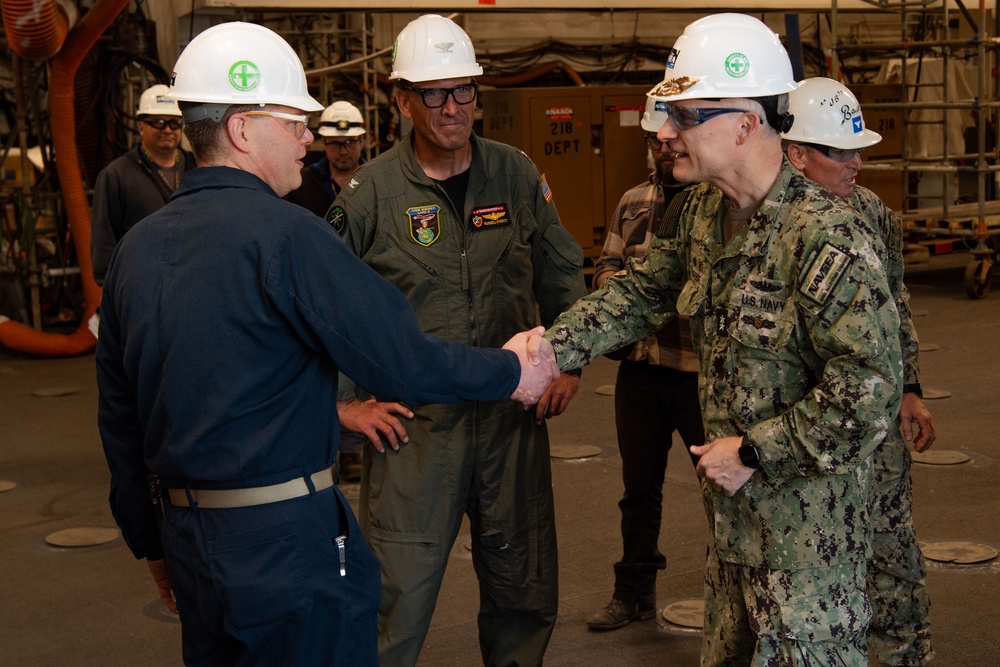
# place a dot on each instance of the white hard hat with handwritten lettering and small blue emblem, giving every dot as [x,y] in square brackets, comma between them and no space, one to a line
[827,113]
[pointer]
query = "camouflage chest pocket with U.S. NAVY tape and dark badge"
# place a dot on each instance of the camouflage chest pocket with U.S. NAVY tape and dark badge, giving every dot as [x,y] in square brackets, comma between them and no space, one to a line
[762,314]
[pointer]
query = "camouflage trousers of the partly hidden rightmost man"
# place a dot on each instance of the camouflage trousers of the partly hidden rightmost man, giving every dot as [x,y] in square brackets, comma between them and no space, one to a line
[900,631]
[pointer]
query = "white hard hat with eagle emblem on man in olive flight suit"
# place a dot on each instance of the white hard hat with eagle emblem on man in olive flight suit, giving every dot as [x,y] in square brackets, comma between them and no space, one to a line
[433,47]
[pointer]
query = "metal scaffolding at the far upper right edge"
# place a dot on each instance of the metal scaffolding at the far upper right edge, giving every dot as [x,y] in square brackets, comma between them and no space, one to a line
[976,220]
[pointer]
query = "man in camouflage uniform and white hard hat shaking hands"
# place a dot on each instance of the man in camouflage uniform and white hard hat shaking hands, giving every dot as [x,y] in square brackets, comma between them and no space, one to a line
[800,366]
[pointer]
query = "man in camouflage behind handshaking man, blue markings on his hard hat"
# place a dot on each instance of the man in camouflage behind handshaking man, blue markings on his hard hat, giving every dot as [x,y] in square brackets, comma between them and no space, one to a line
[825,144]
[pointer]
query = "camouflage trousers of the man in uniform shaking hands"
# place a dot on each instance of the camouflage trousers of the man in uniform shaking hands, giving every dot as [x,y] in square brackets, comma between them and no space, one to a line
[758,617]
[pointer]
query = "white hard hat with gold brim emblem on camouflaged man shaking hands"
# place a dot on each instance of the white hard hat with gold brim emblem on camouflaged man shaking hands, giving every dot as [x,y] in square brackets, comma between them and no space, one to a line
[724,56]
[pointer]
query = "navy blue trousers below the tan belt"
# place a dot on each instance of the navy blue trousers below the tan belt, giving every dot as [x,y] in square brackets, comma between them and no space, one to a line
[262,585]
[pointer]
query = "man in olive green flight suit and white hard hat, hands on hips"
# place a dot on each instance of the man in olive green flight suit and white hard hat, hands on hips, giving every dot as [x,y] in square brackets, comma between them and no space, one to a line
[467,230]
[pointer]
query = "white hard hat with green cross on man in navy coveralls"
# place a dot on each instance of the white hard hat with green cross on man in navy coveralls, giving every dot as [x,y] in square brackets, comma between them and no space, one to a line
[240,63]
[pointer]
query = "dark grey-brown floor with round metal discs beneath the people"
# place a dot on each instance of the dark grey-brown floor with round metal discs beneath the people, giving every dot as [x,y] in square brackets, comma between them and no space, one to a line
[97,605]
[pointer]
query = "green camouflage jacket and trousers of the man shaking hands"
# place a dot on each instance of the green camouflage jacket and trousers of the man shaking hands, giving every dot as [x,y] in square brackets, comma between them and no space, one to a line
[797,334]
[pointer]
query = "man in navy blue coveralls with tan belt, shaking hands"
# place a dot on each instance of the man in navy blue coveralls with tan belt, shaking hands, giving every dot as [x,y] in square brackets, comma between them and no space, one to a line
[226,317]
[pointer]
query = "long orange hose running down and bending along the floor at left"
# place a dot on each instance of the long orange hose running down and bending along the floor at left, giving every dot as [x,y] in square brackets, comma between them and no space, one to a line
[62,118]
